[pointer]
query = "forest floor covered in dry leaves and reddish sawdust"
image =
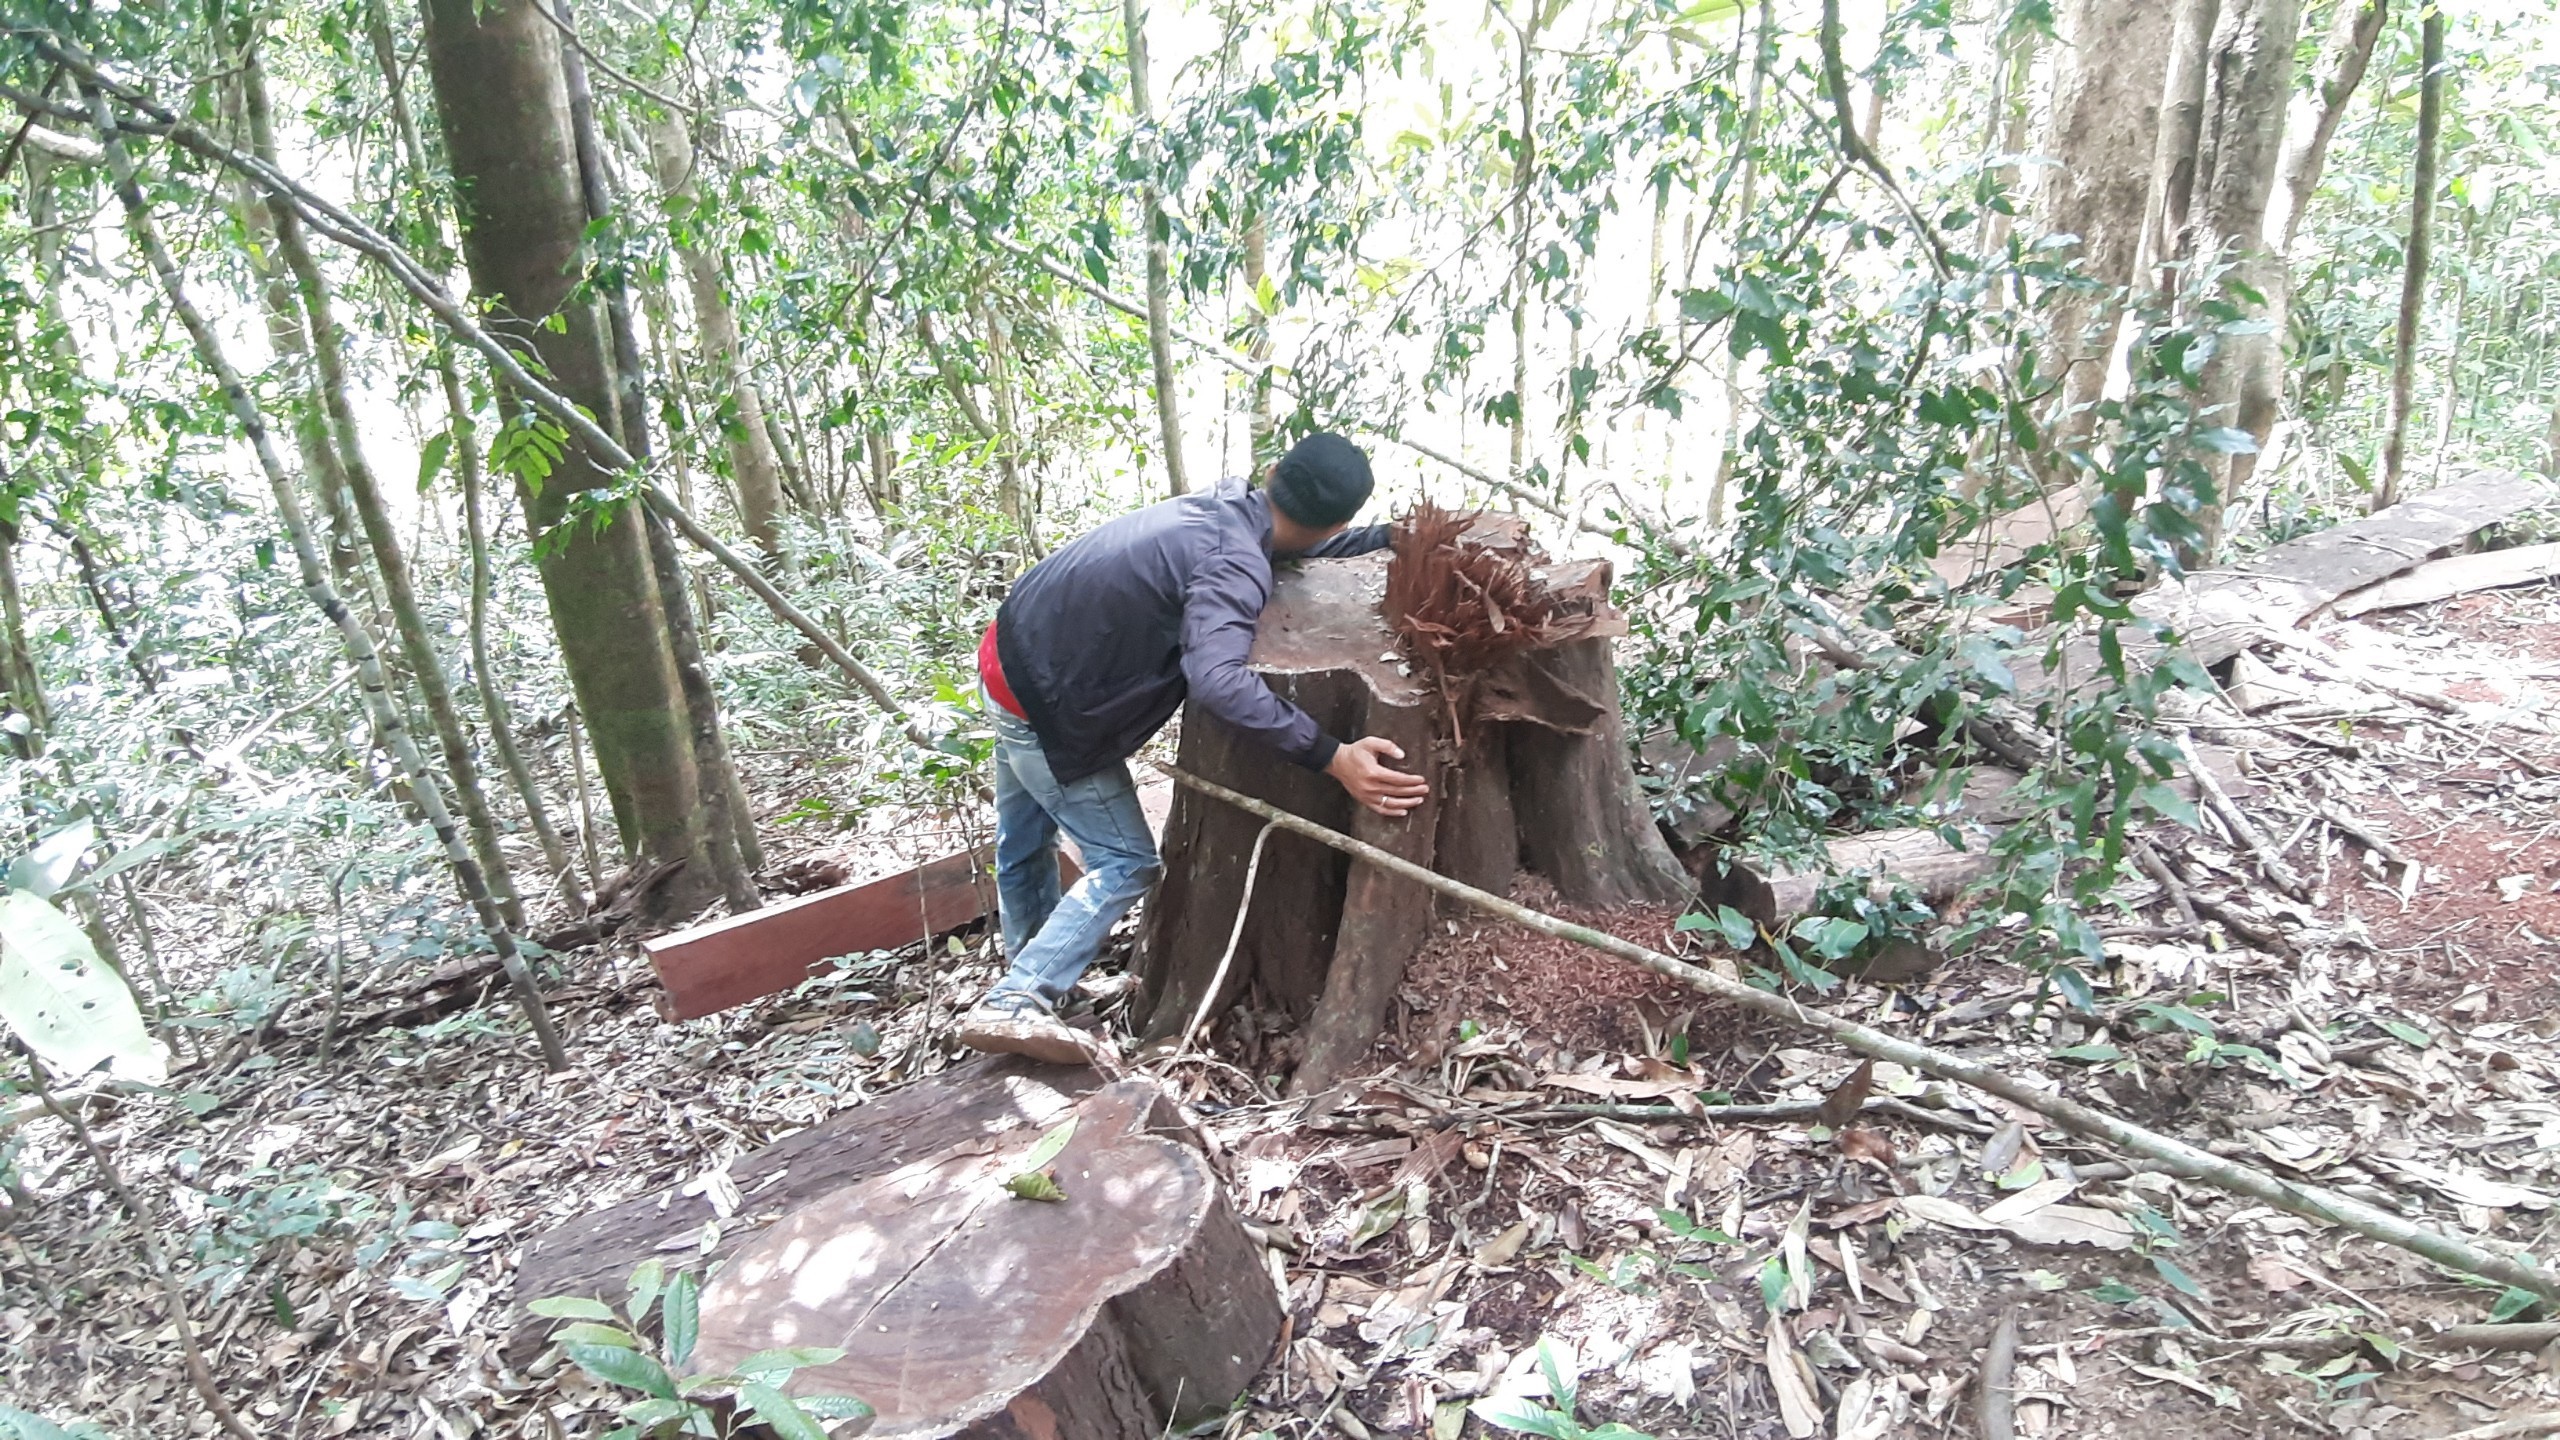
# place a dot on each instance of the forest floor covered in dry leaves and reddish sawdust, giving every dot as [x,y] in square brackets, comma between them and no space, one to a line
[1542,1162]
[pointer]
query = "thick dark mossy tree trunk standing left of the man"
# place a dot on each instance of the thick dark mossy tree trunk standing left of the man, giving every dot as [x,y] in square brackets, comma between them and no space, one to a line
[508,135]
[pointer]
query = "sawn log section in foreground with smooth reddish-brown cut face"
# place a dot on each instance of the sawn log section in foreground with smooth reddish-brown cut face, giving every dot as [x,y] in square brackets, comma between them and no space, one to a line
[1128,1308]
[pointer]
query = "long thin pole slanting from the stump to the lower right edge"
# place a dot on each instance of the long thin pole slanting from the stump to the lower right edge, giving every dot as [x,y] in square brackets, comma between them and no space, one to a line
[2454,1252]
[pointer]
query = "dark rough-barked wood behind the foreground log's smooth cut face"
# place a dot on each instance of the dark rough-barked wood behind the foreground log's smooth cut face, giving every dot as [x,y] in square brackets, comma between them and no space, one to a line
[977,1103]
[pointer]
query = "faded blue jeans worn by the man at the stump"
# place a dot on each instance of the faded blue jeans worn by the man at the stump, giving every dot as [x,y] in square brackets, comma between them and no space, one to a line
[1053,939]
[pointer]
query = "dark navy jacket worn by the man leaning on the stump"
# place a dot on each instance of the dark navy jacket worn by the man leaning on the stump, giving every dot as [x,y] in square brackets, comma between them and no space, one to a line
[1107,637]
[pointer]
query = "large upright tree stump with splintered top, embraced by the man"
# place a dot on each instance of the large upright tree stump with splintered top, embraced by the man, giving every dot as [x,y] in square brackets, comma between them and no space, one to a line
[1527,760]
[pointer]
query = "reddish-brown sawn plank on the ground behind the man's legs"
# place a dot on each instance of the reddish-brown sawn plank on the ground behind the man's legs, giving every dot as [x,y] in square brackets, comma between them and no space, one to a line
[767,952]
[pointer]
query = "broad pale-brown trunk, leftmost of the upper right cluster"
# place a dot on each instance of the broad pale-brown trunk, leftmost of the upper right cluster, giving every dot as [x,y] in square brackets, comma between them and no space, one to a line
[2100,132]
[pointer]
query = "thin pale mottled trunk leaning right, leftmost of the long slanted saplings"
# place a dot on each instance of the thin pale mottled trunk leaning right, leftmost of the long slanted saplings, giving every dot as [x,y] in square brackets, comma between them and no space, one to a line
[388,726]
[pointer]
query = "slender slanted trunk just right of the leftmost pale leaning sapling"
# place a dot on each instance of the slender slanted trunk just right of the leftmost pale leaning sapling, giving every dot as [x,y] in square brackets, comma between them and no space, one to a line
[347,434]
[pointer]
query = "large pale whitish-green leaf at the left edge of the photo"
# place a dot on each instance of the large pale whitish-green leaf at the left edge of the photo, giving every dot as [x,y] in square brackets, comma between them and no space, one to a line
[63,1001]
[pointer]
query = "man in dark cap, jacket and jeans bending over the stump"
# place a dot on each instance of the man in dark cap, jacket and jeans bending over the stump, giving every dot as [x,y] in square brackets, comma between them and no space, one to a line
[1092,655]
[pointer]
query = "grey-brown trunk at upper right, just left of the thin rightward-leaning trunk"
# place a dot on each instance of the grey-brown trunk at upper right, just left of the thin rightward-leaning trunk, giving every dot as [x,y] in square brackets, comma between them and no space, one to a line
[2246,91]
